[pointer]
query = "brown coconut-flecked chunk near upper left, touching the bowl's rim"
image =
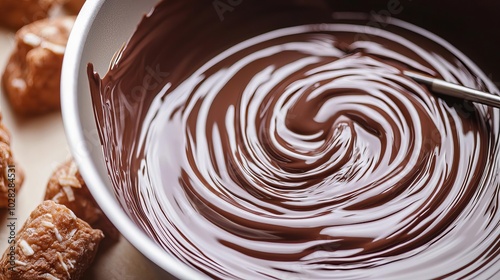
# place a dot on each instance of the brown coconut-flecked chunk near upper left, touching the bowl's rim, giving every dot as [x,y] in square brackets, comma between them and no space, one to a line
[33,74]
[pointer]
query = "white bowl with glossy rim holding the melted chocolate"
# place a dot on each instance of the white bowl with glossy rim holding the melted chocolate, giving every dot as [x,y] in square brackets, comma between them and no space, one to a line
[100,30]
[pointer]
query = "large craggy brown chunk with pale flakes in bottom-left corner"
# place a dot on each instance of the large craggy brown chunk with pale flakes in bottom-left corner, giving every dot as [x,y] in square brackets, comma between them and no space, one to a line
[52,244]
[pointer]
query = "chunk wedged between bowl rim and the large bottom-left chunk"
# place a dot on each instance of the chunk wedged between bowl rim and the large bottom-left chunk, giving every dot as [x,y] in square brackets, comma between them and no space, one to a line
[66,186]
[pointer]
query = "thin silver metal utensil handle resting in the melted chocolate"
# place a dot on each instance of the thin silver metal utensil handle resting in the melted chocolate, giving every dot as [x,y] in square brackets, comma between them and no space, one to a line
[455,90]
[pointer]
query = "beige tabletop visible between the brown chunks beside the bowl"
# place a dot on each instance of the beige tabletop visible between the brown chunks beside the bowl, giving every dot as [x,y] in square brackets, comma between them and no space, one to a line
[39,146]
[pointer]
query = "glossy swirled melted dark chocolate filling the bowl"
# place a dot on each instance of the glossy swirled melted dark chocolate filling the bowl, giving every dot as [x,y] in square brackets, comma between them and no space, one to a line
[289,144]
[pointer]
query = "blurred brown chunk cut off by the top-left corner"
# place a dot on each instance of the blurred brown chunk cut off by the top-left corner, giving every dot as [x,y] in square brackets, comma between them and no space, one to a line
[17,13]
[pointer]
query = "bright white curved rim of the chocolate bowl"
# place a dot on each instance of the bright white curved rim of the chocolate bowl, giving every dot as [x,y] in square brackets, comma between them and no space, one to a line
[72,68]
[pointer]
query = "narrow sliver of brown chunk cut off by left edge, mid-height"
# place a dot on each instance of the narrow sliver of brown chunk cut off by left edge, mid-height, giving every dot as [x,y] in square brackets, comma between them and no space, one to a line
[11,175]
